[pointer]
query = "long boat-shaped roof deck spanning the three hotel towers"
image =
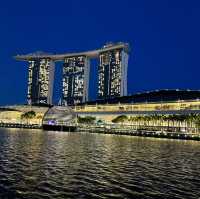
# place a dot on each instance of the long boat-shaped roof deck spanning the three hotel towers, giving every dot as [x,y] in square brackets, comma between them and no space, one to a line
[60,57]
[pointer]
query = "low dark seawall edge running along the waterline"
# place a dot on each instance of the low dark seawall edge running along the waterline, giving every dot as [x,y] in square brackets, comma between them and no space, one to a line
[104,130]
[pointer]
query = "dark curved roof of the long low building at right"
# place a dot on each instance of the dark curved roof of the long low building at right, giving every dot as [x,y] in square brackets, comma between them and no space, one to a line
[153,96]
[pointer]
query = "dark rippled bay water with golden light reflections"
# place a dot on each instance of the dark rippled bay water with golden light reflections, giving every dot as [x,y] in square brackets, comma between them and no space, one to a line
[38,164]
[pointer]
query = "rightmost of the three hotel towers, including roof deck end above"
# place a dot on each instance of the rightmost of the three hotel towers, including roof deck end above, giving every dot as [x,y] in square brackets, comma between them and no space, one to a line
[112,71]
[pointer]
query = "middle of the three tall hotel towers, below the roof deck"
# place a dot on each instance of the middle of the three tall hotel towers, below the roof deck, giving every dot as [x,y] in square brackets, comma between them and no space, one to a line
[75,80]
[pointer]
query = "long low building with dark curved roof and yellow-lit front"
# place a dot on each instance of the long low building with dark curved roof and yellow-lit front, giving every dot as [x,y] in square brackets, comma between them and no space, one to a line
[159,102]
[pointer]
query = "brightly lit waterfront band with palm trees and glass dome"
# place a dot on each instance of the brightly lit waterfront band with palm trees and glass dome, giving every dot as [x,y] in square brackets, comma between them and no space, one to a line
[175,126]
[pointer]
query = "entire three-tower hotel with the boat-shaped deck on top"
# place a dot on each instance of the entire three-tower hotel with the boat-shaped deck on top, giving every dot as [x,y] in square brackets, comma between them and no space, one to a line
[112,74]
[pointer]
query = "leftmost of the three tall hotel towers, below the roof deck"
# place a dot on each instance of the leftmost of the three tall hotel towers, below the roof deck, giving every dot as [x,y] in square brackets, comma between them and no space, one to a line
[40,81]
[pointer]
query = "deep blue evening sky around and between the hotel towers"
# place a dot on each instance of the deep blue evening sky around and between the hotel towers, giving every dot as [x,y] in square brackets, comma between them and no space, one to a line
[164,36]
